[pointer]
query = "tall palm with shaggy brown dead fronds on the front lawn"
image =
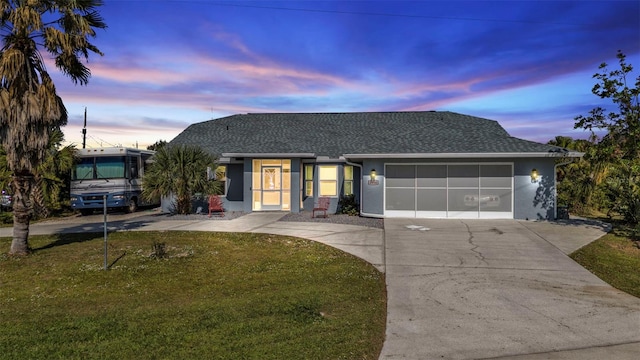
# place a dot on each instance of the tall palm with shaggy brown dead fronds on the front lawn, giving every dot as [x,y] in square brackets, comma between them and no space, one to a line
[30,109]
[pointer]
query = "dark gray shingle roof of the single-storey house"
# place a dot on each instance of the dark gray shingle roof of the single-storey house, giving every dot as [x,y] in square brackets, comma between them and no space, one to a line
[335,134]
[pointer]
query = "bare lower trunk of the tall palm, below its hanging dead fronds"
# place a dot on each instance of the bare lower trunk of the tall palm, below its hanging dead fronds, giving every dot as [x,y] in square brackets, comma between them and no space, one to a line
[21,214]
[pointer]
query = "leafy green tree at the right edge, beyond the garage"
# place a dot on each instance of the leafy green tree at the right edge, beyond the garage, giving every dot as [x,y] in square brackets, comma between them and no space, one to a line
[620,146]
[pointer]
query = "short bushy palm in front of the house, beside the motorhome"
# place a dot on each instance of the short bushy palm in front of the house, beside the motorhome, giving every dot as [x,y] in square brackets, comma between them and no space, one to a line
[180,171]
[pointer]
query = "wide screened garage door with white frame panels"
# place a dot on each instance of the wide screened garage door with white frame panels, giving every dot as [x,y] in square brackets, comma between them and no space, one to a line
[464,191]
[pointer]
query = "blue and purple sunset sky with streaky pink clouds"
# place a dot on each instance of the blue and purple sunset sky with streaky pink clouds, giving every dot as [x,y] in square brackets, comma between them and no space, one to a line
[168,64]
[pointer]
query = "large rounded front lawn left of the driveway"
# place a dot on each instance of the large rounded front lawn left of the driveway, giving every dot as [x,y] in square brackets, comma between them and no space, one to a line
[214,296]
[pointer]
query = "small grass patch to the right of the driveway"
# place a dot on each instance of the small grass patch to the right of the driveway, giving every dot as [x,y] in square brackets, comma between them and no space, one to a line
[614,258]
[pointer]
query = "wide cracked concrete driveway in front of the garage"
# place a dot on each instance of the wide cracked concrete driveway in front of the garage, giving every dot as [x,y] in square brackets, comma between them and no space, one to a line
[465,289]
